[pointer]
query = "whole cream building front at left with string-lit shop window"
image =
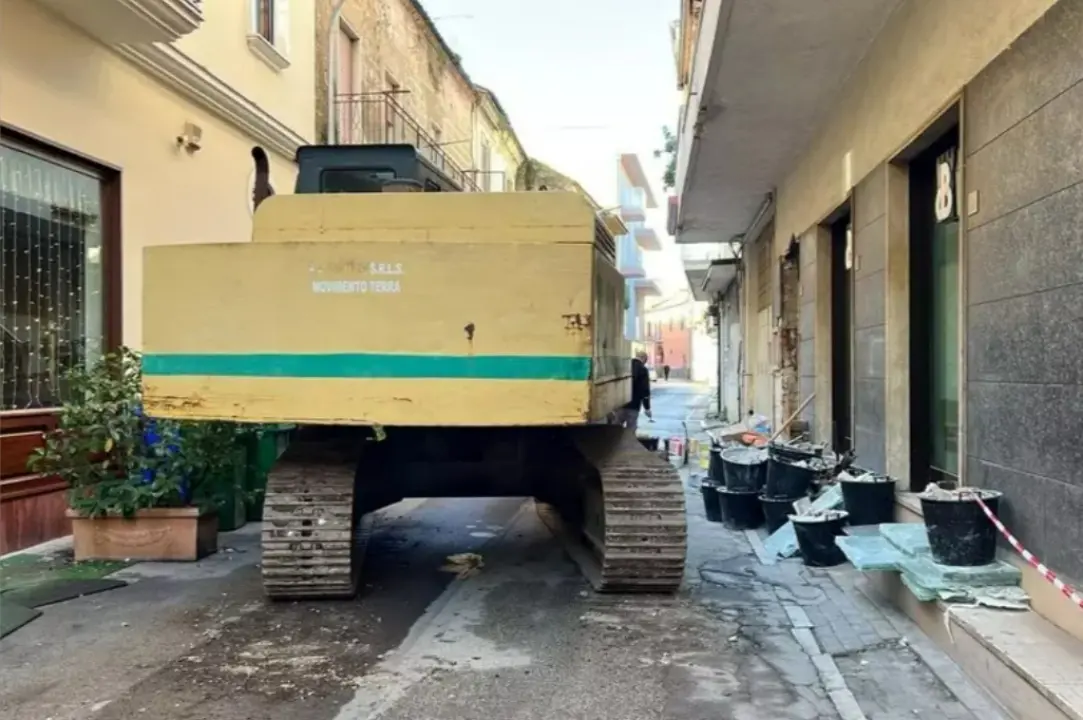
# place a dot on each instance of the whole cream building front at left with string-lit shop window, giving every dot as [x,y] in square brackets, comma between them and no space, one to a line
[123,125]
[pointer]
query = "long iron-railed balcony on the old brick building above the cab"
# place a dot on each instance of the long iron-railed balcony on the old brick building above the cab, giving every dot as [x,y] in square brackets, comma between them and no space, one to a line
[379,119]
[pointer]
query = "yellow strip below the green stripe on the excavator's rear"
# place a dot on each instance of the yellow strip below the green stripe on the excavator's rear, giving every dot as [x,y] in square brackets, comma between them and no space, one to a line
[429,402]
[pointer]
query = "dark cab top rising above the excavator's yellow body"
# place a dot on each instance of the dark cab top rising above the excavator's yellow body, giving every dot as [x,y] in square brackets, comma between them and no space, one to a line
[366,168]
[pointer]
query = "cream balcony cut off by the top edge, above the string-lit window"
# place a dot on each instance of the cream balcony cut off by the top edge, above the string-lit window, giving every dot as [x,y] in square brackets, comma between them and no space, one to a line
[132,22]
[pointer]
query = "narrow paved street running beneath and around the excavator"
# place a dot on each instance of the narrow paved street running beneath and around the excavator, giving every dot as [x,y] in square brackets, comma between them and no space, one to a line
[523,640]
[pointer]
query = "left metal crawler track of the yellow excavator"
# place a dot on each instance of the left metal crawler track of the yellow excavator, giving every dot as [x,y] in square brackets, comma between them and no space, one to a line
[315,535]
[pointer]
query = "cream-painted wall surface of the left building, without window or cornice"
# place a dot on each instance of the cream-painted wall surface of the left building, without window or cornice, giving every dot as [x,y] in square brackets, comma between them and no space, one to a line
[68,89]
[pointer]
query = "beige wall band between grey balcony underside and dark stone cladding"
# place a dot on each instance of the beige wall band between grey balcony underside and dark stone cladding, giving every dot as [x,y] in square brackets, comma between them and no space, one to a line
[919,64]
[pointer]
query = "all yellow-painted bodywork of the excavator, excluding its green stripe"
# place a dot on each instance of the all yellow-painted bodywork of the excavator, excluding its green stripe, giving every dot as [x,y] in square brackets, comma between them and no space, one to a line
[515,266]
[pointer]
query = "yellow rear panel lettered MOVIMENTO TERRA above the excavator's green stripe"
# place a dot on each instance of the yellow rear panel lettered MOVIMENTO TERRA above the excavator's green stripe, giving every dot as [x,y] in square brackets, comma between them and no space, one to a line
[258,297]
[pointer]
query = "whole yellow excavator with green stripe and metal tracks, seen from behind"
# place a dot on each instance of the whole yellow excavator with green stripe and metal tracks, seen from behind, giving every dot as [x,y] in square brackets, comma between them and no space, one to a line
[426,344]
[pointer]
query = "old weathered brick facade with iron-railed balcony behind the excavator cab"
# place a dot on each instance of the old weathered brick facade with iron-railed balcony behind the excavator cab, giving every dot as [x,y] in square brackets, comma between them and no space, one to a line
[398,82]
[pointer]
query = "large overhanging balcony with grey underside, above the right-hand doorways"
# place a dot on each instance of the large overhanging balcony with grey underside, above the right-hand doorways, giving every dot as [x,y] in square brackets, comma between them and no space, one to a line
[763,77]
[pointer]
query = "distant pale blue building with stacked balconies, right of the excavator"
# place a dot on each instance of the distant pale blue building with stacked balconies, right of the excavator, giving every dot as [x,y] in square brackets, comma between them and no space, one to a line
[635,199]
